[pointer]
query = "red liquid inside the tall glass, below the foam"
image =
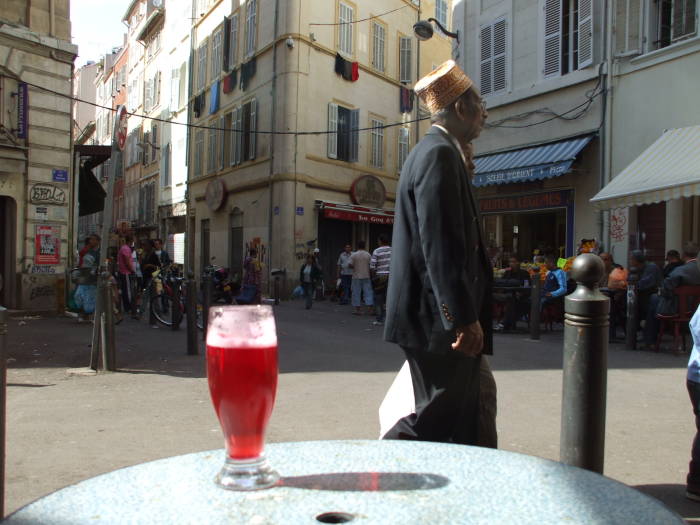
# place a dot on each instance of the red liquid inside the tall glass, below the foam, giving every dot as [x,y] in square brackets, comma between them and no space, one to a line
[243,383]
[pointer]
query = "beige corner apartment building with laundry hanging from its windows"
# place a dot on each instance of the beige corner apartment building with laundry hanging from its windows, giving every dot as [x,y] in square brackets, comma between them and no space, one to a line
[303,115]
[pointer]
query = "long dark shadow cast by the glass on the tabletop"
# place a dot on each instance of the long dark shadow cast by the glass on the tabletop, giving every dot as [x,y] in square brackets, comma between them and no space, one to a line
[366,481]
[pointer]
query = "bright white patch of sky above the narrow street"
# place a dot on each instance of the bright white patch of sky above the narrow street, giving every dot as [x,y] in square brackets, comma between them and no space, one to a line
[96,27]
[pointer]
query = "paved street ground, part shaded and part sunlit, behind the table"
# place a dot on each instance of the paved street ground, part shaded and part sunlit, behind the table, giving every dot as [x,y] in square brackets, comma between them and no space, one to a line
[334,371]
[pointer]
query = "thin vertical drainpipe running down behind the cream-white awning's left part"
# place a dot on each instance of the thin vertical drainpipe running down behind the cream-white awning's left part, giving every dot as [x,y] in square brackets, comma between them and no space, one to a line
[606,131]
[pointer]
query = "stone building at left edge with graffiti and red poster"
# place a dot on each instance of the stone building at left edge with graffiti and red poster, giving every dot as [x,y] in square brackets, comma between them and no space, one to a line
[36,184]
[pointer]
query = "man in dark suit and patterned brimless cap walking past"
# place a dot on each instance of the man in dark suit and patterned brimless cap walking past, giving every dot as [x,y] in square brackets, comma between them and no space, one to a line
[438,305]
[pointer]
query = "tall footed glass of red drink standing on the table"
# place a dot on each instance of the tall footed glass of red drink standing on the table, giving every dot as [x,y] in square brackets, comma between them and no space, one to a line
[242,373]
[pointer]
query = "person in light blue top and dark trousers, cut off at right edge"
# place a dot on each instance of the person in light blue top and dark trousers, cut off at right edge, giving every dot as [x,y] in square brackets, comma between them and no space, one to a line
[693,384]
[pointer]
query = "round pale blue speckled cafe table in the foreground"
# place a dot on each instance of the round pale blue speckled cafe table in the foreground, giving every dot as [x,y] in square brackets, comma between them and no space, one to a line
[357,482]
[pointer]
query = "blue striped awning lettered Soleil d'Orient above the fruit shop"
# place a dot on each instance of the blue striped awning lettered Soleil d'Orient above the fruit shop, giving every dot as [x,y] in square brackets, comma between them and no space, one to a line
[543,161]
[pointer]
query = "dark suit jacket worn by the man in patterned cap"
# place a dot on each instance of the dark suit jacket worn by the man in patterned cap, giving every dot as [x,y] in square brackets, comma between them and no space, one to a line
[440,272]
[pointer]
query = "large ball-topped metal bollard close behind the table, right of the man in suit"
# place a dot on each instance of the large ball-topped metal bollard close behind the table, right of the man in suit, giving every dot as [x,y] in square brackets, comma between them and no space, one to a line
[586,323]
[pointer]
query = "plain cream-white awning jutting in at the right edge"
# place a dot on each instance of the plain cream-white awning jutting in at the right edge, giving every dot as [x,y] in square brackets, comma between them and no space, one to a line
[668,169]
